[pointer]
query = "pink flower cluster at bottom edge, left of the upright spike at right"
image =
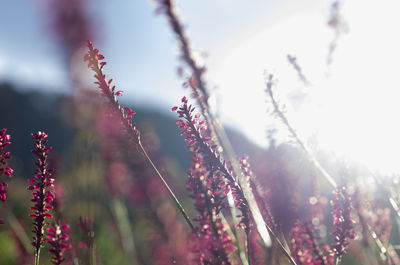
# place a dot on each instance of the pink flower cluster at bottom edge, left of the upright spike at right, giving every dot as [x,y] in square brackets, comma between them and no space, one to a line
[306,247]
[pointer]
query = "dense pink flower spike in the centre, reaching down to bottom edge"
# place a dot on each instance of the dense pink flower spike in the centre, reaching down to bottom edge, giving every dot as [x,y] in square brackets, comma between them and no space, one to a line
[207,185]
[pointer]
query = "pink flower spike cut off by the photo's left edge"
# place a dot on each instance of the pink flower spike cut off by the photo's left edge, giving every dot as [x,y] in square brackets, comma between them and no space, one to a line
[4,156]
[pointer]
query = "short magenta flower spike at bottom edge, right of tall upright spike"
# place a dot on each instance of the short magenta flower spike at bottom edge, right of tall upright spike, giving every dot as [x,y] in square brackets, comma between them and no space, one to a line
[58,237]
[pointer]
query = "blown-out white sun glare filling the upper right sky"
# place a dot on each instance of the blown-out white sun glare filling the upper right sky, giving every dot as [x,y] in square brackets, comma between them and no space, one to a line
[351,107]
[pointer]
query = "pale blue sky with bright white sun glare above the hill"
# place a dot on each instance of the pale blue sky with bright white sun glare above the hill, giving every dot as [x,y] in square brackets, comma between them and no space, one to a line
[350,107]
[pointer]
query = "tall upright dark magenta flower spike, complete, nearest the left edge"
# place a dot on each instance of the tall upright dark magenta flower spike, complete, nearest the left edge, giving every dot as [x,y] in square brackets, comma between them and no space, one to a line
[40,184]
